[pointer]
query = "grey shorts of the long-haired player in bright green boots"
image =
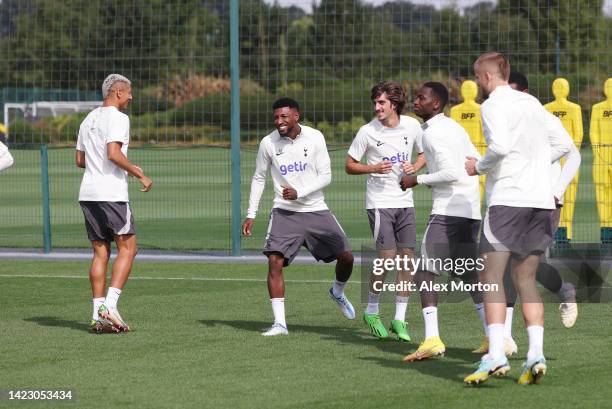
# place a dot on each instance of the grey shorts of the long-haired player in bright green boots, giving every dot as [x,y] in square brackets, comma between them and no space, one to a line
[393,228]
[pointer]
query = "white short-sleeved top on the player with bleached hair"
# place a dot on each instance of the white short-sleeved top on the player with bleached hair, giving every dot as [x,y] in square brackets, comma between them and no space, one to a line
[103,181]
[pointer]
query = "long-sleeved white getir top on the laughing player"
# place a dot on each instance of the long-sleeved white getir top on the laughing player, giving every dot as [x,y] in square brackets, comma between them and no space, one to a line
[301,163]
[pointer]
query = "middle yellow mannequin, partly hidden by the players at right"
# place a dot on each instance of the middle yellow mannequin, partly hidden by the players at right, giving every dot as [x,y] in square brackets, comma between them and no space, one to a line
[570,115]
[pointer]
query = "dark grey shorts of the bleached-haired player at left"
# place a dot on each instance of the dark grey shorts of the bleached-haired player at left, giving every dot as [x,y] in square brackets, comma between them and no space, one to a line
[105,220]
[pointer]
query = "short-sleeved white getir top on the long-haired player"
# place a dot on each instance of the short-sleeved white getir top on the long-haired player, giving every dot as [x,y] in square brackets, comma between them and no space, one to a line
[377,143]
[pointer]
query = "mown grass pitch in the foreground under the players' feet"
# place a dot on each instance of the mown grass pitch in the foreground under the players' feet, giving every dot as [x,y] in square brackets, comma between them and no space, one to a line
[196,343]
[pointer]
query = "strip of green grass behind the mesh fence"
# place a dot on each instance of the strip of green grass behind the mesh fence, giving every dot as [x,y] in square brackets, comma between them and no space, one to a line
[189,207]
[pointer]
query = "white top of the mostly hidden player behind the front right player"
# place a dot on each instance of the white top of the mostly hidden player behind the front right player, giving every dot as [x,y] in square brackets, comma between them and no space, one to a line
[562,146]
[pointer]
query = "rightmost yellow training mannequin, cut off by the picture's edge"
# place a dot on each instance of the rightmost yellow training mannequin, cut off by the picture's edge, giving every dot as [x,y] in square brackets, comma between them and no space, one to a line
[601,141]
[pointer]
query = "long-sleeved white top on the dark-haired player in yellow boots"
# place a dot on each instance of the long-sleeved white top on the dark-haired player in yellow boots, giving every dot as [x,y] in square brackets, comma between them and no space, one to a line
[446,145]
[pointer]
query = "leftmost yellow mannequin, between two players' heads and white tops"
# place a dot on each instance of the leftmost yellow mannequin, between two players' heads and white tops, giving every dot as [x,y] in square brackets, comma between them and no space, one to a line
[468,115]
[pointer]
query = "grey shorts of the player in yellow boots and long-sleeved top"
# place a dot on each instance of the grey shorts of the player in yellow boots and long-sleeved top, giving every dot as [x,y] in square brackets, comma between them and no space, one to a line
[450,238]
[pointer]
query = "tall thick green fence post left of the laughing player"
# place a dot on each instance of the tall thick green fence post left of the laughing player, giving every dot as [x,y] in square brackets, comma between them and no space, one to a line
[235,126]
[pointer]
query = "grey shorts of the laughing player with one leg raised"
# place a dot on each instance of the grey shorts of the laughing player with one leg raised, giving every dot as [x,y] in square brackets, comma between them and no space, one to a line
[318,231]
